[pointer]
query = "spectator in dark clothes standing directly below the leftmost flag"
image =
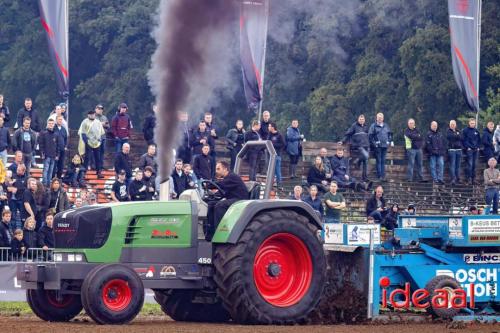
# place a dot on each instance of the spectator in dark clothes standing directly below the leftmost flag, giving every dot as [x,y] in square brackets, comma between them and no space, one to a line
[51,145]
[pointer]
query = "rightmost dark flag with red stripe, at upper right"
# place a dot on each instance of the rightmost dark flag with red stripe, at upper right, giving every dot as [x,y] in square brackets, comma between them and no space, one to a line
[465,32]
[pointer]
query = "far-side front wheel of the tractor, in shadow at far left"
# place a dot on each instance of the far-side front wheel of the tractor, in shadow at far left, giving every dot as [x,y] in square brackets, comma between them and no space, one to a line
[49,306]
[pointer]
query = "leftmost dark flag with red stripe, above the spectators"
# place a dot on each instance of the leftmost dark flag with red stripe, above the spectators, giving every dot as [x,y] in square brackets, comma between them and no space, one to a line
[54,18]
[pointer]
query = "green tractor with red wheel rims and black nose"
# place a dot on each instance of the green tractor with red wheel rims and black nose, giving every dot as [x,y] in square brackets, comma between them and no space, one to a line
[264,265]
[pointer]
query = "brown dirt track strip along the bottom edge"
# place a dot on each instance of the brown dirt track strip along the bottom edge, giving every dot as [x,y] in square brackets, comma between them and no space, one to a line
[32,324]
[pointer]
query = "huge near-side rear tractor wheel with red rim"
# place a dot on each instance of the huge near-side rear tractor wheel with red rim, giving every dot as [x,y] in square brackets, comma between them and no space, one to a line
[275,273]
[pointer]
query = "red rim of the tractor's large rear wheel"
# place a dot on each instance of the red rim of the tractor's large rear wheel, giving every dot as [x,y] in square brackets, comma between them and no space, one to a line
[282,270]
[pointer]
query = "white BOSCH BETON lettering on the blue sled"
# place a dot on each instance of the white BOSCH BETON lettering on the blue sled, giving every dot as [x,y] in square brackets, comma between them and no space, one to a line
[484,280]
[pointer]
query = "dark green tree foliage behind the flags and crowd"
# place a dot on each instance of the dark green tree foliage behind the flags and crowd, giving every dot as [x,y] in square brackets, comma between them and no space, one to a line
[391,56]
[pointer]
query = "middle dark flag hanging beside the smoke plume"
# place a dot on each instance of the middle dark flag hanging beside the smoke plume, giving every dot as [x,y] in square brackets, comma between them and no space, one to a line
[253,35]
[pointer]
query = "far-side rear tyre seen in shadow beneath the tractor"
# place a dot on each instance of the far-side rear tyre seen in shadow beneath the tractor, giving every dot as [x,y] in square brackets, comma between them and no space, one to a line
[188,305]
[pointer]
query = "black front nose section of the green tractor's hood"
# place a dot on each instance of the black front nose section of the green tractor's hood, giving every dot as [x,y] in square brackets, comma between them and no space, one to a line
[86,227]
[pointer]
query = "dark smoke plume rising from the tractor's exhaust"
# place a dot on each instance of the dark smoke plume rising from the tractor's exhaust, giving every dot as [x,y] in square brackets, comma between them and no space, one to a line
[190,63]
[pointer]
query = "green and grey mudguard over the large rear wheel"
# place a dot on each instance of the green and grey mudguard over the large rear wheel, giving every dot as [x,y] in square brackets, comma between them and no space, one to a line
[241,213]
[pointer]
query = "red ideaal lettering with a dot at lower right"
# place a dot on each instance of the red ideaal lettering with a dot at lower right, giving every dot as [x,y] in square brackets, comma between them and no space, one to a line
[441,298]
